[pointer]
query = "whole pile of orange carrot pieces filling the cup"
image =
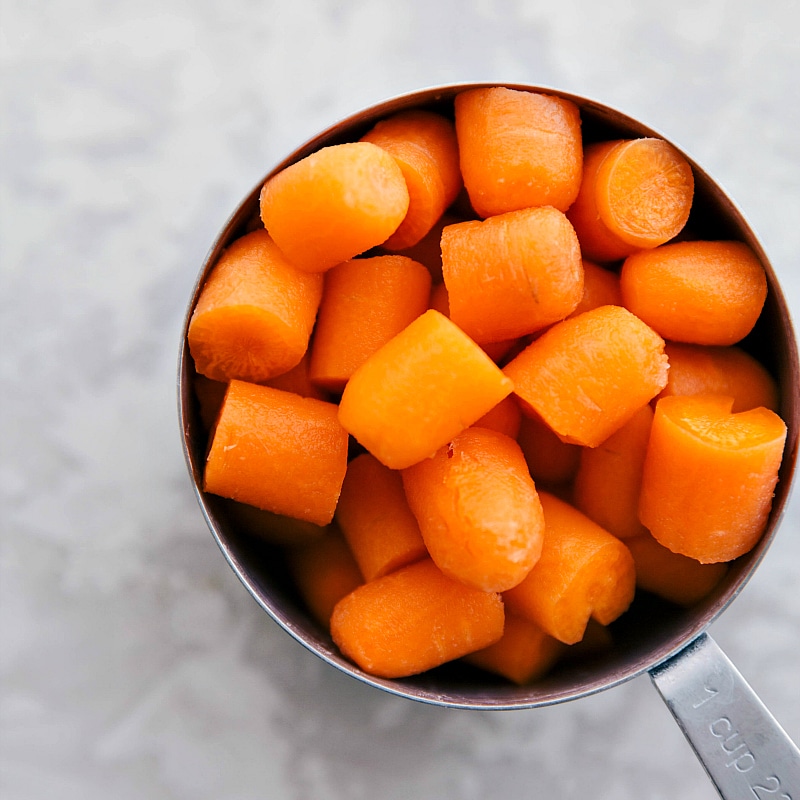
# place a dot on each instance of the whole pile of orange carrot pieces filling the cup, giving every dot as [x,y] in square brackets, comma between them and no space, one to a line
[483,383]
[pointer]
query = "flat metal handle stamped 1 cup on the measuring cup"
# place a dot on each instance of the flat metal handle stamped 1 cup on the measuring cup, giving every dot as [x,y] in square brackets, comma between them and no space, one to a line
[742,747]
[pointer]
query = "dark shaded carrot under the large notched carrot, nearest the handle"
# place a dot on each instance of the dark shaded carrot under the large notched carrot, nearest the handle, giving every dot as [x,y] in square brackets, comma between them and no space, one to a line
[671,576]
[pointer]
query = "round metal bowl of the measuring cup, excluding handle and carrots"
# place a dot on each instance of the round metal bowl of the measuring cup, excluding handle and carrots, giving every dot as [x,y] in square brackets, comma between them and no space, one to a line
[652,630]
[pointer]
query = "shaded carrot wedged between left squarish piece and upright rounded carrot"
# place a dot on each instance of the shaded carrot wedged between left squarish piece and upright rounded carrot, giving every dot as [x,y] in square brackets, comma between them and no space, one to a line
[374,517]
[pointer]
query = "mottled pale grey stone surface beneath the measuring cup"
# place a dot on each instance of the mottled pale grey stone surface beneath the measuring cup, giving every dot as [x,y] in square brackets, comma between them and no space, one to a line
[133,665]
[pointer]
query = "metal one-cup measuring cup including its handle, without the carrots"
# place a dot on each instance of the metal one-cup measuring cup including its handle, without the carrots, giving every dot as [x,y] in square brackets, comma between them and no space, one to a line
[741,746]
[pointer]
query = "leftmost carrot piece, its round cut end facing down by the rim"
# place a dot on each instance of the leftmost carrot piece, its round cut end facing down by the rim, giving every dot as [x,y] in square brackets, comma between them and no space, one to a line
[255,313]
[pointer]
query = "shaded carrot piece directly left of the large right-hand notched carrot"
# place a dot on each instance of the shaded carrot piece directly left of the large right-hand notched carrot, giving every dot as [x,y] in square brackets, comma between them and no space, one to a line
[609,478]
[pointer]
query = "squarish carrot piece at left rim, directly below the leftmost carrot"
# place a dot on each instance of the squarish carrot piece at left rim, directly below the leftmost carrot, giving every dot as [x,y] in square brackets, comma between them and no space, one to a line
[278,451]
